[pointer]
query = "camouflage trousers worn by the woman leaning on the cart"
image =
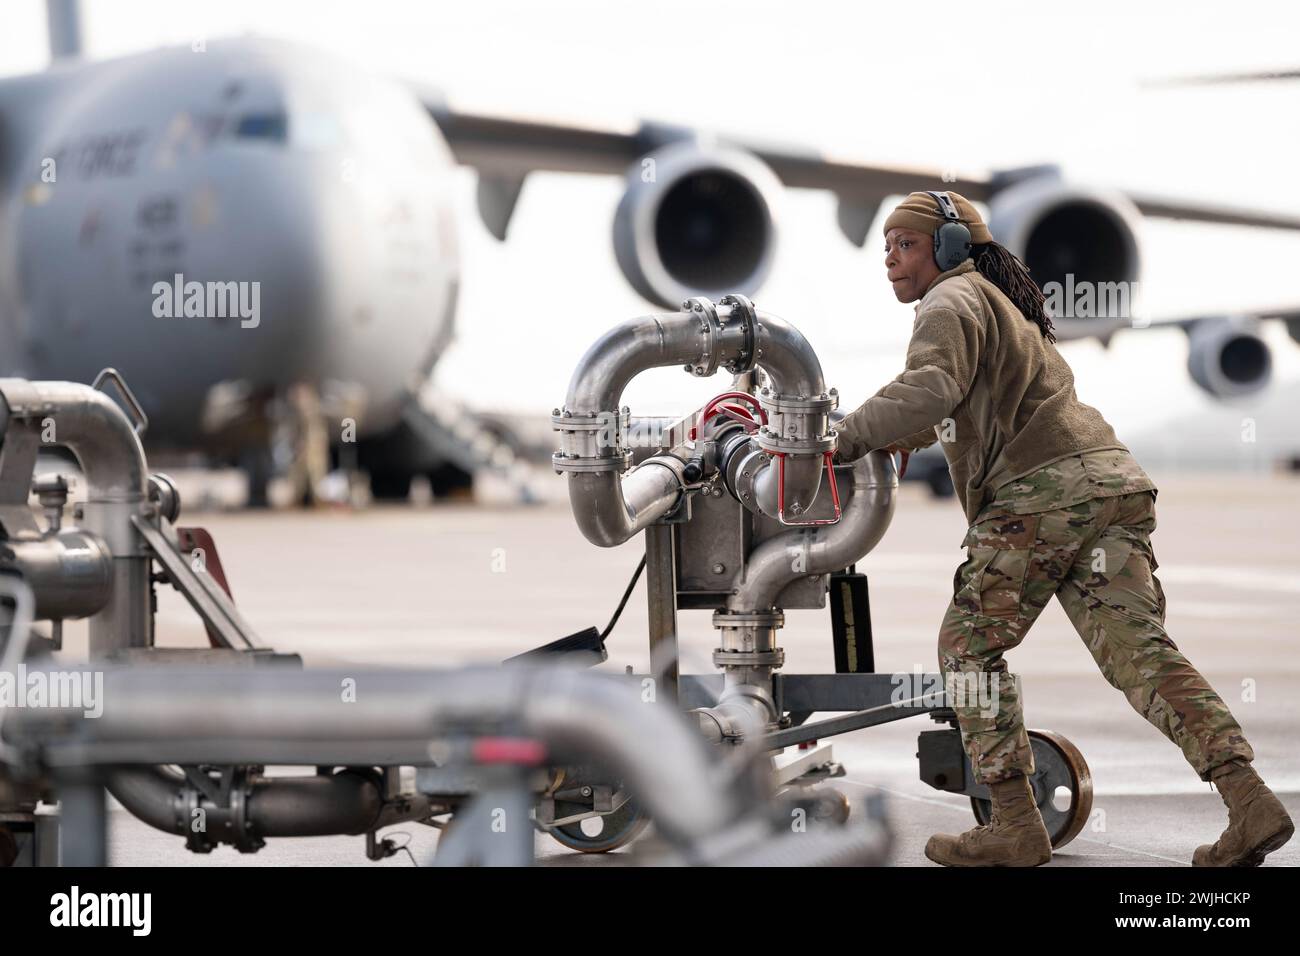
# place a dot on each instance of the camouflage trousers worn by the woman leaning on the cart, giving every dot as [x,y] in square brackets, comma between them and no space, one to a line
[1097,559]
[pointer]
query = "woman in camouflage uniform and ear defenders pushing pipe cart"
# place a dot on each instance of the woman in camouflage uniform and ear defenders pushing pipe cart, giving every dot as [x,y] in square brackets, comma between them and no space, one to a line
[1058,505]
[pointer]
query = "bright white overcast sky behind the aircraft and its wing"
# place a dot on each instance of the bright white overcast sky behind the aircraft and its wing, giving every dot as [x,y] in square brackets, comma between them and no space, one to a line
[1000,85]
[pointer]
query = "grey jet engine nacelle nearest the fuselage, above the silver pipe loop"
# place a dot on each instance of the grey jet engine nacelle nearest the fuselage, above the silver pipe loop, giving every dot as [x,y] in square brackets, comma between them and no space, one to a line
[696,220]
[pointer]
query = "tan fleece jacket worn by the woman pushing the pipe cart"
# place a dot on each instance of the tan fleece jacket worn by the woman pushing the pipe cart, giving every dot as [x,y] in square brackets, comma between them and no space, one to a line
[982,380]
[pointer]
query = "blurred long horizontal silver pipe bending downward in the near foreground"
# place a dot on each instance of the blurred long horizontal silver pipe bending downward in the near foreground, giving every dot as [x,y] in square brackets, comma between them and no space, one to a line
[219,717]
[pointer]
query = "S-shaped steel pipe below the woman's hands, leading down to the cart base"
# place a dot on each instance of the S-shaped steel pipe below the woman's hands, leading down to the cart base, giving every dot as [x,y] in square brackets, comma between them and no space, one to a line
[826,548]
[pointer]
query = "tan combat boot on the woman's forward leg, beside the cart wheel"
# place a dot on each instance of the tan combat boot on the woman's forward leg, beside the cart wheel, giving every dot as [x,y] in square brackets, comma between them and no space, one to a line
[1015,836]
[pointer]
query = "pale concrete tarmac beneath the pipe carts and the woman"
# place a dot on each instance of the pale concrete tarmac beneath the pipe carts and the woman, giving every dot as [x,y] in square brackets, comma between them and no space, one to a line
[450,585]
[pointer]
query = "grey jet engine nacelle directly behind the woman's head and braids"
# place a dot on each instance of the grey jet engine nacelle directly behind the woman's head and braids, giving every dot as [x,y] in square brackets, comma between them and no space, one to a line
[1071,236]
